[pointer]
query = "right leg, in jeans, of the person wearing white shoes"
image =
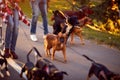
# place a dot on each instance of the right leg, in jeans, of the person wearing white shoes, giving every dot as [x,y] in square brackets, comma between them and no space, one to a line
[43,9]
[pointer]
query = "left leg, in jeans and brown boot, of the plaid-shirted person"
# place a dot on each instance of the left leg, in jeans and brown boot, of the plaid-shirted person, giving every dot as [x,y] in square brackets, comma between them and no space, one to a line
[8,35]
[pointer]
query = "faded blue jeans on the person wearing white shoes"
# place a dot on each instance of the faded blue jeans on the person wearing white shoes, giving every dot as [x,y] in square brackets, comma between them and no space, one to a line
[39,7]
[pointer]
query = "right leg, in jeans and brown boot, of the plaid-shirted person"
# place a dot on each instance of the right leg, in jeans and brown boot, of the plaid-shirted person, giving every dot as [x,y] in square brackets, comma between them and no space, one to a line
[14,33]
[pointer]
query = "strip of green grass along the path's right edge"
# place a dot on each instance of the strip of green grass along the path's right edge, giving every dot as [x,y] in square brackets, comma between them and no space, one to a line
[102,37]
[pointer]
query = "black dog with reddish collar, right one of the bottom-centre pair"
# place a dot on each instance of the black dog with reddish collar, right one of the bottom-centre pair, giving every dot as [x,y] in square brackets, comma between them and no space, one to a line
[53,72]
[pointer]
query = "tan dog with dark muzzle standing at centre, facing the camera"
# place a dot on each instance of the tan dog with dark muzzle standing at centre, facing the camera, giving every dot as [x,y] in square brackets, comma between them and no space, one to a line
[57,43]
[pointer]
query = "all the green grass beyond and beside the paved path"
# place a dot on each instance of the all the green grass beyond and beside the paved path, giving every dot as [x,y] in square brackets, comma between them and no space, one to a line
[100,37]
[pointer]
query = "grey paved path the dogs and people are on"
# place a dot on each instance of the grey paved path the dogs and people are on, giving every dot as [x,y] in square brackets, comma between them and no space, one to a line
[77,66]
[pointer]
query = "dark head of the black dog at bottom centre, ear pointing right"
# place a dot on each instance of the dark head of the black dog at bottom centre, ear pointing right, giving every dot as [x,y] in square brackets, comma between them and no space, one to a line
[58,75]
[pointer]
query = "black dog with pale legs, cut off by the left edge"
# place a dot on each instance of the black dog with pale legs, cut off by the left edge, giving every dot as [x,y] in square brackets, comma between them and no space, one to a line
[3,65]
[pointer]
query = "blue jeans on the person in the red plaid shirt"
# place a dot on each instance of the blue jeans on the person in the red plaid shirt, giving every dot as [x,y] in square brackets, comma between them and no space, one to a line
[12,31]
